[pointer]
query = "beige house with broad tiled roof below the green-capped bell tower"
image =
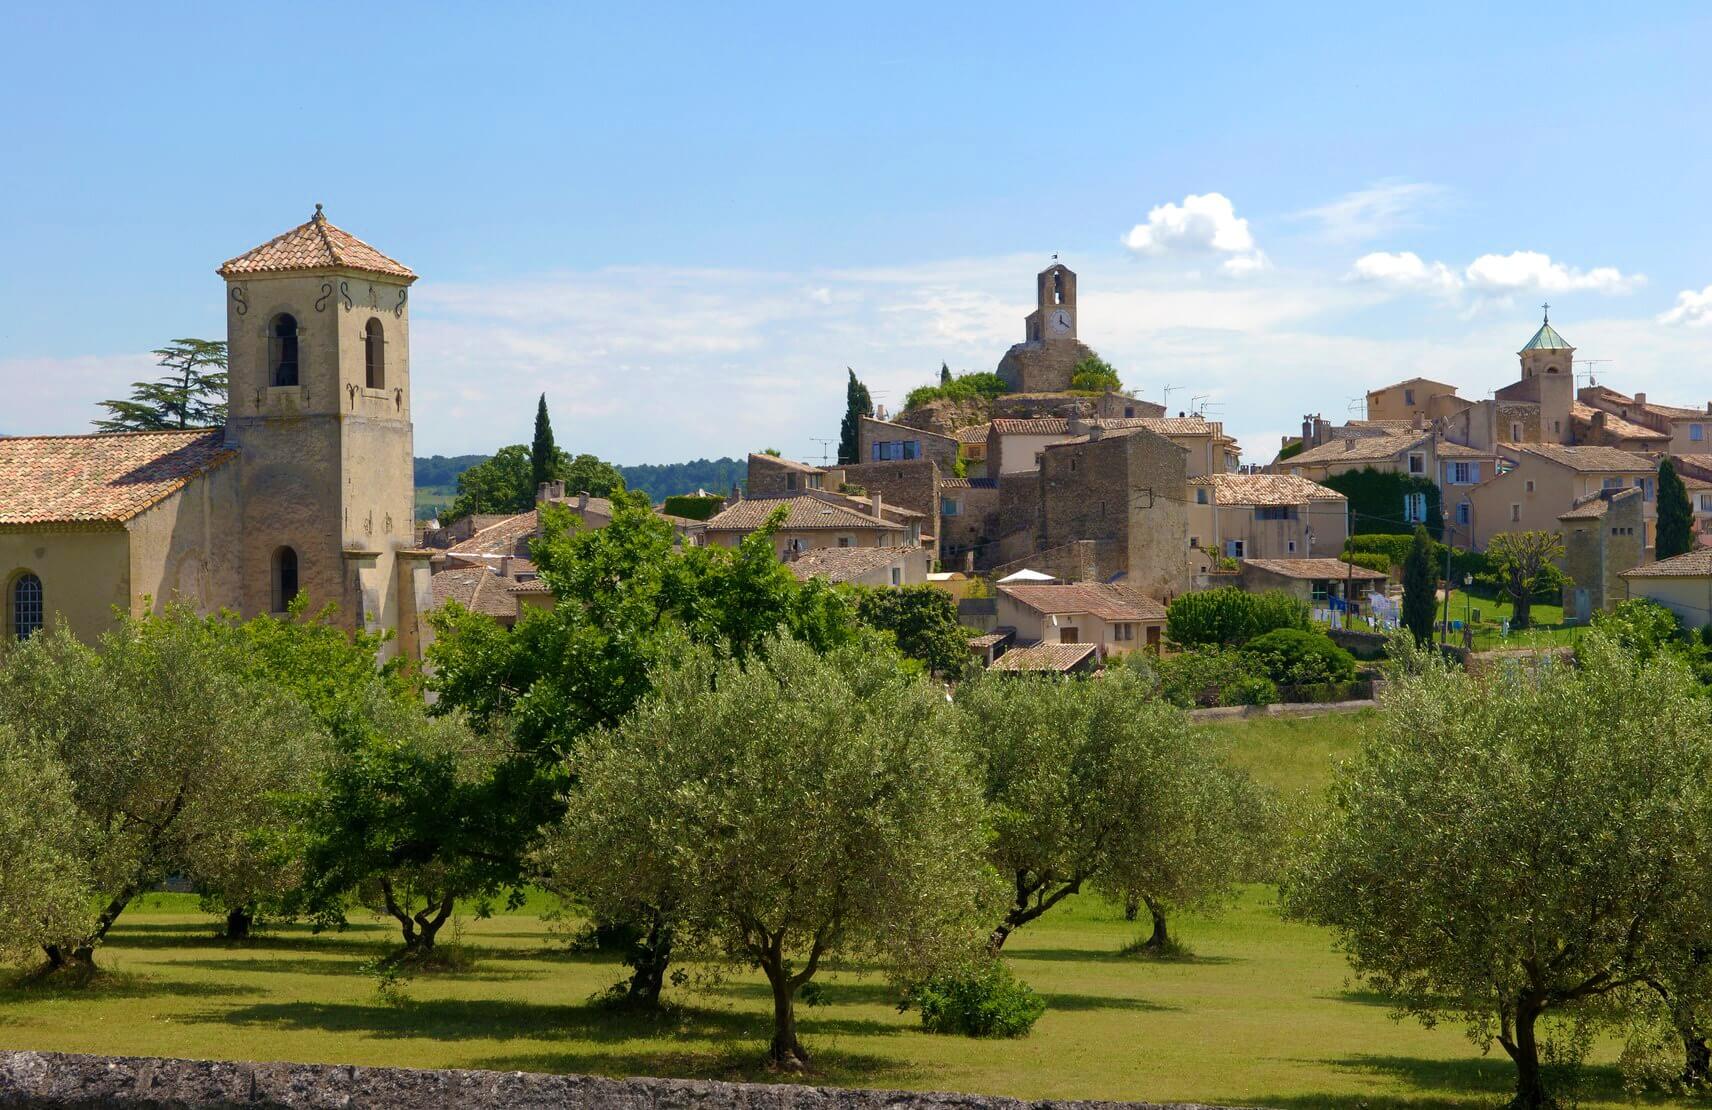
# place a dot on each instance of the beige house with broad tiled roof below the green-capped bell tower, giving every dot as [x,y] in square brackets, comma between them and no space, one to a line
[1545,480]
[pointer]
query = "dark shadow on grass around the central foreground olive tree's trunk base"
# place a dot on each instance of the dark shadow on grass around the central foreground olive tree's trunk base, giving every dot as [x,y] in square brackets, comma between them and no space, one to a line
[732,1063]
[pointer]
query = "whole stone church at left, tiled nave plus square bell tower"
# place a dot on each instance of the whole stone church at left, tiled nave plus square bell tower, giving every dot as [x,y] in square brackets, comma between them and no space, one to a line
[307,489]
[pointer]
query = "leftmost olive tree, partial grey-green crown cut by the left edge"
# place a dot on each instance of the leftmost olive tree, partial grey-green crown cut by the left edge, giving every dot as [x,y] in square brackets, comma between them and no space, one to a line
[44,852]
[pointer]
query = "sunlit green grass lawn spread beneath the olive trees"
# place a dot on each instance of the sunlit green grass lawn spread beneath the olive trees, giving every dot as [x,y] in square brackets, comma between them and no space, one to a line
[1263,1013]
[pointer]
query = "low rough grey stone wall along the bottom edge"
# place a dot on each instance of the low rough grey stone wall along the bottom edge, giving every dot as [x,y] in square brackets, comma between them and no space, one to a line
[88,1082]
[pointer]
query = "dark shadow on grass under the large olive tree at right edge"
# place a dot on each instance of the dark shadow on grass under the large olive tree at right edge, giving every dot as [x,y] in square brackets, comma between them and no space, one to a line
[1461,1083]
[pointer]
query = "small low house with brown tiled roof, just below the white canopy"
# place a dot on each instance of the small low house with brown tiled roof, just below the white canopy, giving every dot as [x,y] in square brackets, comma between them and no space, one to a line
[1114,619]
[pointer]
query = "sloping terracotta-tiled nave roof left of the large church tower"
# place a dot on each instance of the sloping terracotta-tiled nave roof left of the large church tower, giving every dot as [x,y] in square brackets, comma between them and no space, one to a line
[88,479]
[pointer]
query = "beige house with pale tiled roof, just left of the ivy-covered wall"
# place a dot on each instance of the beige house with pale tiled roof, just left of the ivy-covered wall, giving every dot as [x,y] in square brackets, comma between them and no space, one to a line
[1264,516]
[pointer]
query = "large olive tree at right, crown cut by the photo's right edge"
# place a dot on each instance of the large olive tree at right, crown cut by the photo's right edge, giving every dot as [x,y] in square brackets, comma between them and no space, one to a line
[1519,844]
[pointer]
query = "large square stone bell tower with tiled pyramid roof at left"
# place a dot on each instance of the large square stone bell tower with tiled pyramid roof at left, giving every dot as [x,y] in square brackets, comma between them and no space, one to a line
[319,410]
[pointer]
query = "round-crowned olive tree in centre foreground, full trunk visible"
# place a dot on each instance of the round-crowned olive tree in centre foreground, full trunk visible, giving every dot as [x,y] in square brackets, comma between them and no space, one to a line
[783,809]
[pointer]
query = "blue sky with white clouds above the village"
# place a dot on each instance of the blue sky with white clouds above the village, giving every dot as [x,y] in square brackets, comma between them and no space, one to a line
[684,224]
